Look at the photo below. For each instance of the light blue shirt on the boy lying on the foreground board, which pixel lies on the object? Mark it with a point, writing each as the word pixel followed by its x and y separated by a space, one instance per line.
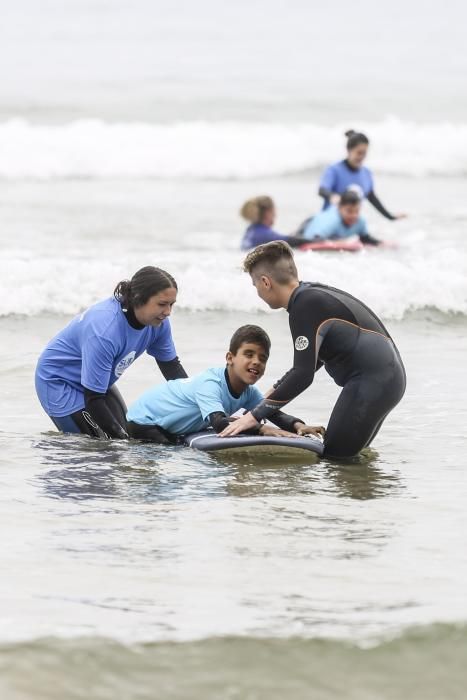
pixel 183 405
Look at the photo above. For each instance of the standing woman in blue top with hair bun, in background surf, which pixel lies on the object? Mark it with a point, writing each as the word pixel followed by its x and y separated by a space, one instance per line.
pixel 352 173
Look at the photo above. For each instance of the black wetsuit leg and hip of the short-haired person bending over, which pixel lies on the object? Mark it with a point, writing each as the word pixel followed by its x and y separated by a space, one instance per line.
pixel 373 390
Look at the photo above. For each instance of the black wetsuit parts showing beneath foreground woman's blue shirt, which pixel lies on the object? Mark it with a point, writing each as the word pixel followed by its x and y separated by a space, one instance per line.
pixel 104 415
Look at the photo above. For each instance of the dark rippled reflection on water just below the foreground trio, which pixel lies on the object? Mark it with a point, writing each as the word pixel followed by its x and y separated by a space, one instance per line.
pixel 83 468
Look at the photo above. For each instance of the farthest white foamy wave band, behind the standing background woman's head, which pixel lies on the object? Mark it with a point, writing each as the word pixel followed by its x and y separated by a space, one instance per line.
pixel 220 150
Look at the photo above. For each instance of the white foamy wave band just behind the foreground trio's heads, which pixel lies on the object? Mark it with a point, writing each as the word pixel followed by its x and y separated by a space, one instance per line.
pixel 393 283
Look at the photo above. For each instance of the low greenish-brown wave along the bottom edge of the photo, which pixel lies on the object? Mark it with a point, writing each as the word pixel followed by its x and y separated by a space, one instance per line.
pixel 424 664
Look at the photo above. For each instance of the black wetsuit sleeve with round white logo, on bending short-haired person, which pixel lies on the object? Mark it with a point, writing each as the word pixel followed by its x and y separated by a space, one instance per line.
pixel 305 320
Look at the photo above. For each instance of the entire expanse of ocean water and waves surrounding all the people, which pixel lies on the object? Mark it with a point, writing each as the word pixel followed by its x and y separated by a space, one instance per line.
pixel 130 134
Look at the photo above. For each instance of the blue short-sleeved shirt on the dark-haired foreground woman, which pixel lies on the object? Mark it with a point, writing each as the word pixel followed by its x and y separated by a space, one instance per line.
pixel 92 352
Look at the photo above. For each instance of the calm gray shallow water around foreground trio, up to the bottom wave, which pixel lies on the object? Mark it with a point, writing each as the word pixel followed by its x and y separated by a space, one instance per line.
pixel 140 542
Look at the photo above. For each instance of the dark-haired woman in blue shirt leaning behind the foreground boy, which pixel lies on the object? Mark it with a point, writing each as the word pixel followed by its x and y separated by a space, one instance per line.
pixel 77 371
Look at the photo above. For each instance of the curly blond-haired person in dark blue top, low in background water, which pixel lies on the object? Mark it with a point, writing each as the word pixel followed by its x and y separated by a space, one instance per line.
pixel 261 213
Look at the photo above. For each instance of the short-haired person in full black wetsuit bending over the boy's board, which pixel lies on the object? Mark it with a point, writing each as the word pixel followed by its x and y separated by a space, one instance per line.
pixel 332 328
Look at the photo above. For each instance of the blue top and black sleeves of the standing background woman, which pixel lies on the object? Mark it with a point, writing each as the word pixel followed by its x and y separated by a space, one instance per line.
pixel 340 176
